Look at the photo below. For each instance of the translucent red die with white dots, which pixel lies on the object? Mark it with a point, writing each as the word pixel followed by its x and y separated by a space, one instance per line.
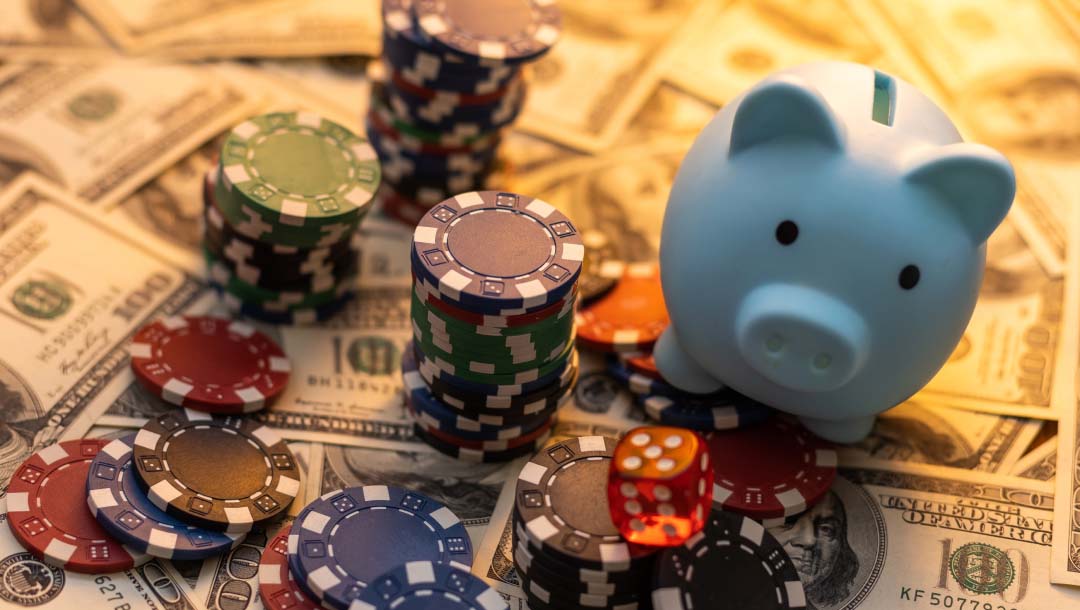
pixel 660 487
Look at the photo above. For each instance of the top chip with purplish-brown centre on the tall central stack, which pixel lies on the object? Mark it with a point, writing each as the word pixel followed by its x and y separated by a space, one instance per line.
pixel 490 252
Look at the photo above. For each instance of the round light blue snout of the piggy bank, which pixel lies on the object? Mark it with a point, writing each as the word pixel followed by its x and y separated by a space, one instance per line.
pixel 802 338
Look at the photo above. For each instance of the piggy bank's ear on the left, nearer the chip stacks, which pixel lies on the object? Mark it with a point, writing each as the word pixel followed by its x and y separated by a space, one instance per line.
pixel 785 107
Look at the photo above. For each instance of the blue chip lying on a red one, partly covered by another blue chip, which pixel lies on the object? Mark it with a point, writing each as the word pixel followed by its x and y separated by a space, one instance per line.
pixel 345 540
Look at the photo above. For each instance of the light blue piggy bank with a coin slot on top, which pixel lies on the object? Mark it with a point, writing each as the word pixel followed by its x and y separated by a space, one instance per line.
pixel 825 245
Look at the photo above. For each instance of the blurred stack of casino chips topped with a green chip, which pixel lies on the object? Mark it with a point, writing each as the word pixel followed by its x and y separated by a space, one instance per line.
pixel 281 213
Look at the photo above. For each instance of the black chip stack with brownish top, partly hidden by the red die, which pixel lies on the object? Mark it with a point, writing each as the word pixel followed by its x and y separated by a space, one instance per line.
pixel 568 551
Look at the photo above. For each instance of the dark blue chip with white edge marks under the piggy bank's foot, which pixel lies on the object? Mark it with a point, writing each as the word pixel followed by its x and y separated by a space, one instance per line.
pixel 725 410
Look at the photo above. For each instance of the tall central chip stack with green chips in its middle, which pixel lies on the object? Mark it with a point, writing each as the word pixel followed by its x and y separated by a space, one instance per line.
pixel 493 357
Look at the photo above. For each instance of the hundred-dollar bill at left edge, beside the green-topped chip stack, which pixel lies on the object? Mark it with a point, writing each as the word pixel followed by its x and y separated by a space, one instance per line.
pixel 73 292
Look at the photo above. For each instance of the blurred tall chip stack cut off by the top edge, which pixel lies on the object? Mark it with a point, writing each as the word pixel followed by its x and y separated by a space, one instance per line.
pixel 453 84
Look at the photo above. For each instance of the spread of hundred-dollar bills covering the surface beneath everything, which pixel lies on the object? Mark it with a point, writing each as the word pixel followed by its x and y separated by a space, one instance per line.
pixel 110 111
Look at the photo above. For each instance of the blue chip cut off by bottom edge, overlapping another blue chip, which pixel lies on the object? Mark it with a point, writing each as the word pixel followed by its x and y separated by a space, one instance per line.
pixel 418 586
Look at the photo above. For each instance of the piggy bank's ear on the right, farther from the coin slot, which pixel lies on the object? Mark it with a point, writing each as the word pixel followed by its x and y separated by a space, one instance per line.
pixel 977 182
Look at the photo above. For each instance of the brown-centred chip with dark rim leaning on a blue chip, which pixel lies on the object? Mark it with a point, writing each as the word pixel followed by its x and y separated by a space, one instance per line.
pixel 224 475
